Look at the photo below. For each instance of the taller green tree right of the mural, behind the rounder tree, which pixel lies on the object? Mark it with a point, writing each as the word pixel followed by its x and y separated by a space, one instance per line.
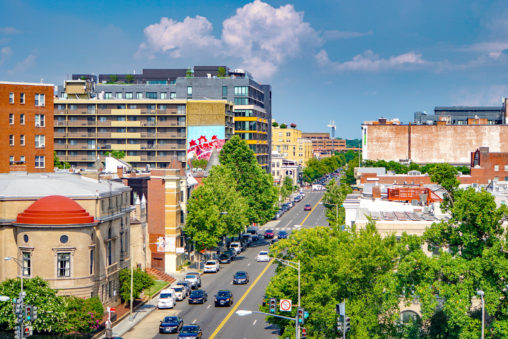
pixel 252 182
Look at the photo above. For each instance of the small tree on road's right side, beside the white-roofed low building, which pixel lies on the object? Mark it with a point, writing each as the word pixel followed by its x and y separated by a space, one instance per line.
pixel 333 199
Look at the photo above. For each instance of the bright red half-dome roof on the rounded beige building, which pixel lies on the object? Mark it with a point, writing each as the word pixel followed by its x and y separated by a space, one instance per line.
pixel 54 210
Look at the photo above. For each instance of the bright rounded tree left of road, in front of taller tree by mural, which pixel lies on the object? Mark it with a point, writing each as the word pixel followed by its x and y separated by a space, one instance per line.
pixel 216 209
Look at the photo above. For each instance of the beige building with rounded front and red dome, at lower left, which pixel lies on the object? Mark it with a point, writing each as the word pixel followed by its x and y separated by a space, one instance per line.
pixel 70 230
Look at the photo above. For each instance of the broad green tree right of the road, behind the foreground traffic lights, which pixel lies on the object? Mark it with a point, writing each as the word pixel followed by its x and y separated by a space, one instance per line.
pixel 357 265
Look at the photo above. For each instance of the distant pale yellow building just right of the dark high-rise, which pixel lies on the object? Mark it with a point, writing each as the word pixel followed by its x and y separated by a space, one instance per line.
pixel 288 142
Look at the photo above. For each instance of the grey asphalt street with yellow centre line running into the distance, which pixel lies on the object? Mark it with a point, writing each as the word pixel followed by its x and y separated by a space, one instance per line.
pixel 223 322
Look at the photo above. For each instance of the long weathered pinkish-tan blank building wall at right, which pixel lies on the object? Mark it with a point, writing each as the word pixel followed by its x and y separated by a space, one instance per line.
pixel 431 143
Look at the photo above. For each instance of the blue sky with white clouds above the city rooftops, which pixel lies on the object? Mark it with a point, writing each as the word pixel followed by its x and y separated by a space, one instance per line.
pixel 347 61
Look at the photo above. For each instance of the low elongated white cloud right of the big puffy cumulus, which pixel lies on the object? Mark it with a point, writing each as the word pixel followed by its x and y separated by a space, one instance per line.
pixel 369 61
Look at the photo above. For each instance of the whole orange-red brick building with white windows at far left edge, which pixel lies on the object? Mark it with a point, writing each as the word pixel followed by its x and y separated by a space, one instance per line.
pixel 26 122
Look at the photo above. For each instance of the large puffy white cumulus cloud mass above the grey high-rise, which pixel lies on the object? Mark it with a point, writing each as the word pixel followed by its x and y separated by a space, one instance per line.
pixel 263 37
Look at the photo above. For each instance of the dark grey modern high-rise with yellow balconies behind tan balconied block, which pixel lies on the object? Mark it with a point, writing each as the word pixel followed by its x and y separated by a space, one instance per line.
pixel 251 100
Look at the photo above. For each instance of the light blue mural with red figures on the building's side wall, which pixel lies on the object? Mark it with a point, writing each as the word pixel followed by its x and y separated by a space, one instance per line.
pixel 202 139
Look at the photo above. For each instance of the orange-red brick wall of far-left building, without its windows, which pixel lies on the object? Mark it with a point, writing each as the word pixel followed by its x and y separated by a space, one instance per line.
pixel 28 129
